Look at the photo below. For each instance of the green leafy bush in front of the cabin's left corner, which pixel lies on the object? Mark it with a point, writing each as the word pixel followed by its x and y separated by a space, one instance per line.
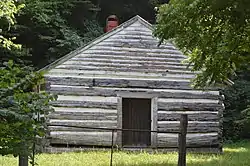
pixel 19 108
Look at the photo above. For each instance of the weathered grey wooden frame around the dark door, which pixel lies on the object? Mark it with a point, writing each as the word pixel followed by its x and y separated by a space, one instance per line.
pixel 154 117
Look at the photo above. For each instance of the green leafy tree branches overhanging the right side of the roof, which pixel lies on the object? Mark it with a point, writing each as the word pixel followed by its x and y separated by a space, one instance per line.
pixel 213 33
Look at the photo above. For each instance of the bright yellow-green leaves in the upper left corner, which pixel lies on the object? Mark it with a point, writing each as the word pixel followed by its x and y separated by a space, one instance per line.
pixel 8 9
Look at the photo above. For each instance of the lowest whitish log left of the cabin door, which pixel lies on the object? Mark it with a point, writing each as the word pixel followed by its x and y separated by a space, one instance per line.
pixel 82 138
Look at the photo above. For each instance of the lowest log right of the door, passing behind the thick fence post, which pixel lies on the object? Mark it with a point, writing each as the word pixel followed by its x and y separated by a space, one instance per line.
pixel 193 140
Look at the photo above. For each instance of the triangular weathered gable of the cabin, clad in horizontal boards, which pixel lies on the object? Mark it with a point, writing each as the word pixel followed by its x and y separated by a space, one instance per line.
pixel 128 52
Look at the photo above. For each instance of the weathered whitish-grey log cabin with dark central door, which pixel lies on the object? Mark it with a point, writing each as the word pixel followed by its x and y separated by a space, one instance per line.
pixel 124 80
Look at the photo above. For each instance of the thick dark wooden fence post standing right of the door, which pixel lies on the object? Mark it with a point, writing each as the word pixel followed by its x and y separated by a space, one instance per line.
pixel 182 140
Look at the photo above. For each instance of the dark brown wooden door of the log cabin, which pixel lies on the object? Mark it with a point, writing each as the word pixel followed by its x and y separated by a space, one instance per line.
pixel 136 114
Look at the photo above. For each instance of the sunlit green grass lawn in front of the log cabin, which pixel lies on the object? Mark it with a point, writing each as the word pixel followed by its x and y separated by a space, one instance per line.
pixel 234 155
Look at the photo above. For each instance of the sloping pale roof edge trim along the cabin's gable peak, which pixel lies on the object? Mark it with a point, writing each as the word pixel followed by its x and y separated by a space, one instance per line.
pixel 98 40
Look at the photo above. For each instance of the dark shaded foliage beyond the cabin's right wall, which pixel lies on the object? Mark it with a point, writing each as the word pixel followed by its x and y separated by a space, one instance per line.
pixel 237 114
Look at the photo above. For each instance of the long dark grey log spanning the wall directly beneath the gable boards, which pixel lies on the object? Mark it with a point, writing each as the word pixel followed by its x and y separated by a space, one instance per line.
pixel 122 82
